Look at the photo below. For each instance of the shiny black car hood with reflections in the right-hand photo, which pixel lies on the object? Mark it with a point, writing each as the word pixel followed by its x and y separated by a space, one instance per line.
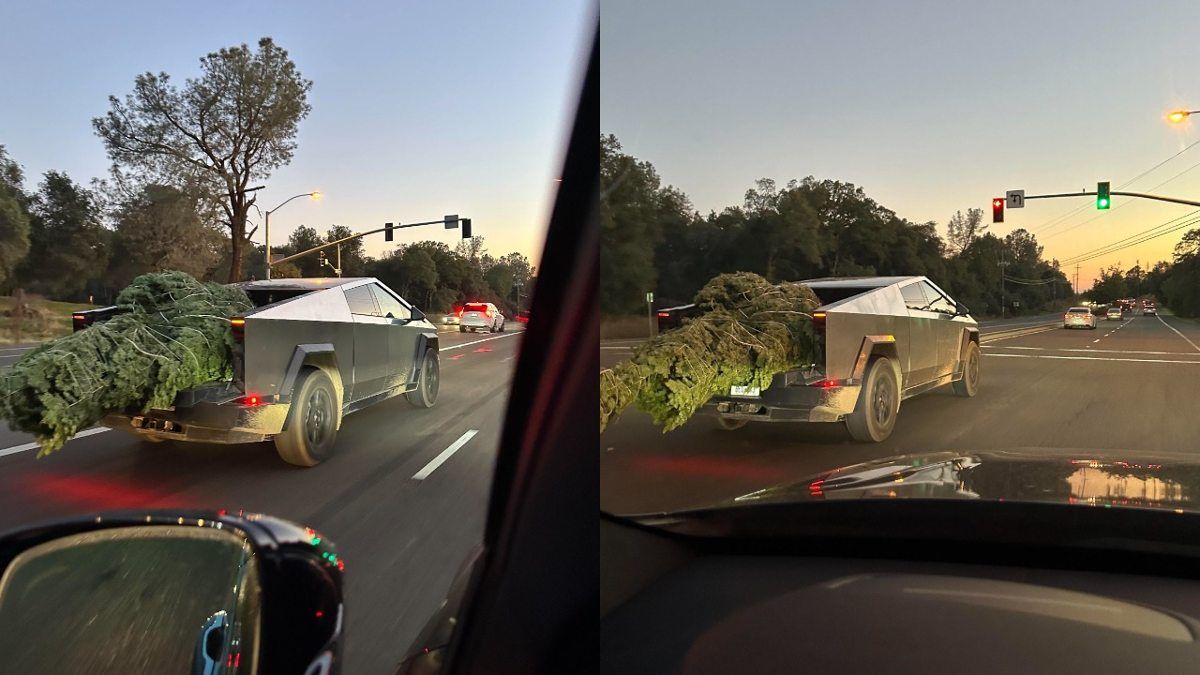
pixel 1103 479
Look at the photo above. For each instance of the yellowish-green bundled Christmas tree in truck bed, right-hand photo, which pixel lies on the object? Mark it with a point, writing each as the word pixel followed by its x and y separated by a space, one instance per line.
pixel 749 332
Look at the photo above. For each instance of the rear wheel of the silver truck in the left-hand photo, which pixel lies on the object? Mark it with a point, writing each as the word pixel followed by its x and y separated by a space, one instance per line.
pixel 309 434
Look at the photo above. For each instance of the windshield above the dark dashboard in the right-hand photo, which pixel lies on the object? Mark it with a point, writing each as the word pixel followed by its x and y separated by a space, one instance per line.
pixel 889 266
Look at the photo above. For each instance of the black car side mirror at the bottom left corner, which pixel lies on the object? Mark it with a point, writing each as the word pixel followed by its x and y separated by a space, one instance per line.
pixel 165 593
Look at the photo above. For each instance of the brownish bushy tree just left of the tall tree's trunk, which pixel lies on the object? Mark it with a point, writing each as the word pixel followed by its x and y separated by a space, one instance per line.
pixel 158 230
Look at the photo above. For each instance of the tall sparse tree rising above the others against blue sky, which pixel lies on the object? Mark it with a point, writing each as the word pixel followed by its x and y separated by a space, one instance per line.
pixel 230 128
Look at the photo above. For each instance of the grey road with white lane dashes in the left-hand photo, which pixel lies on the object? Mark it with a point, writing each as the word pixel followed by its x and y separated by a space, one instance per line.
pixel 403 539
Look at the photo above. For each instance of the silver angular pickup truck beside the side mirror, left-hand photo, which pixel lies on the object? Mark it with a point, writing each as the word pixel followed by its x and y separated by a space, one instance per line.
pixel 311 350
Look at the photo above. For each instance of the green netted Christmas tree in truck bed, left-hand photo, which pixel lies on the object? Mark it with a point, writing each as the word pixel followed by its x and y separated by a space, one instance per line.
pixel 175 336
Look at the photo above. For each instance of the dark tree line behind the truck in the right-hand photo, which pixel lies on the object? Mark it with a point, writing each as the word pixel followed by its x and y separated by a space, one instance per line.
pixel 653 240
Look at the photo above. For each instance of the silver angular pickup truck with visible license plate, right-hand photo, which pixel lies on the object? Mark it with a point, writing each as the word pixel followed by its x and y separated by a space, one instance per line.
pixel 883 341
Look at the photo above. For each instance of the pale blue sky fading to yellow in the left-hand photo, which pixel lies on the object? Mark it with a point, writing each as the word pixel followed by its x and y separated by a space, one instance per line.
pixel 419 110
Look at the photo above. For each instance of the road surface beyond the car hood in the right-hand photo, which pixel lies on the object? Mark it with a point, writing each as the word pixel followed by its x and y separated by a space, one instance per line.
pixel 1127 386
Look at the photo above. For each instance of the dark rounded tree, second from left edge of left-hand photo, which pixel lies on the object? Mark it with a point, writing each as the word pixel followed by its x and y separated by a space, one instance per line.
pixel 69 248
